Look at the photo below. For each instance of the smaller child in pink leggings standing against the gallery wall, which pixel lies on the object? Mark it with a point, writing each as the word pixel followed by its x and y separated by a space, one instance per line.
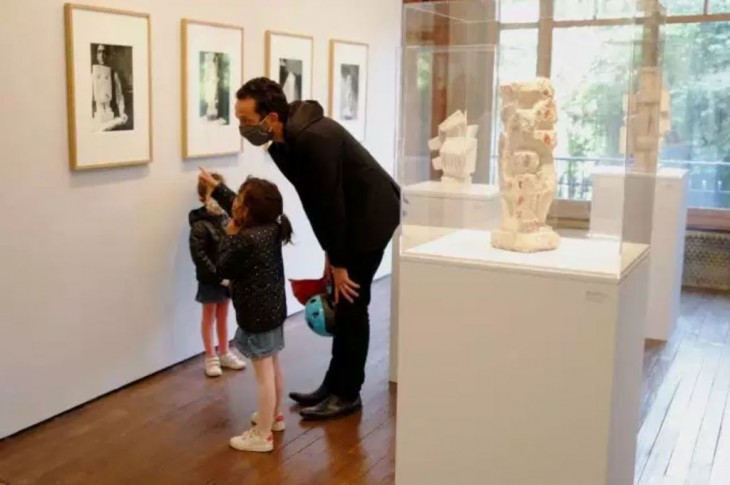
pixel 207 230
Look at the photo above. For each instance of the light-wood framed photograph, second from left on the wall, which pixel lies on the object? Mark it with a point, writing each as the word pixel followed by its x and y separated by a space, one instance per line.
pixel 212 65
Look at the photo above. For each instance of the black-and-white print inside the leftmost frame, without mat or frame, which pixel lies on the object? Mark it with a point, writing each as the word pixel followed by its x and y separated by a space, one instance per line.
pixel 112 88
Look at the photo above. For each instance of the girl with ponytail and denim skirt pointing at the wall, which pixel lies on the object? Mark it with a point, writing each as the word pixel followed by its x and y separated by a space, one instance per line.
pixel 251 258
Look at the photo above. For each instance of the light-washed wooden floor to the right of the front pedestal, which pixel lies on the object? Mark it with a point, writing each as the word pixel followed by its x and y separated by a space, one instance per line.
pixel 685 430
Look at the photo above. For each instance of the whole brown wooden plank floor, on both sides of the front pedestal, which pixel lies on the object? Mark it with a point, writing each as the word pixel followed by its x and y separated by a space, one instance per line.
pixel 173 428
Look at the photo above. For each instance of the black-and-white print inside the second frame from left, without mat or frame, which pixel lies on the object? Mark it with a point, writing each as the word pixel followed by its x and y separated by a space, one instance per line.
pixel 215 87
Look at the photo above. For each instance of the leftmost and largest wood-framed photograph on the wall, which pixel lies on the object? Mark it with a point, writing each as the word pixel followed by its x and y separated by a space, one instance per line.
pixel 108 80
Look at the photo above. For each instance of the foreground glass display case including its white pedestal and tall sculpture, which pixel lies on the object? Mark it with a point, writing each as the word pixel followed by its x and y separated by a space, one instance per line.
pixel 523 274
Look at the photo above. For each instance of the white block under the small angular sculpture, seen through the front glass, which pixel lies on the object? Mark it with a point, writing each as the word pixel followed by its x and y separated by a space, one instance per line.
pixel 444 204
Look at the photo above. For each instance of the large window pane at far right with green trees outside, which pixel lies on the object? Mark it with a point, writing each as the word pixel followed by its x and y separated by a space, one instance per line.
pixel 697 72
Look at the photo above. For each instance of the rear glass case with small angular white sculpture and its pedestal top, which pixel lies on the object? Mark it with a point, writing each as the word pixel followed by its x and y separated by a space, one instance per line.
pixel 446 144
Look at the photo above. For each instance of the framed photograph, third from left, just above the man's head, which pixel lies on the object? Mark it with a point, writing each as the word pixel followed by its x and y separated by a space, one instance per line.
pixel 289 61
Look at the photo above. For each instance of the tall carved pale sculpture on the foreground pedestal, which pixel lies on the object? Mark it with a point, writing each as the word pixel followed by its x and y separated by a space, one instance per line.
pixel 526 167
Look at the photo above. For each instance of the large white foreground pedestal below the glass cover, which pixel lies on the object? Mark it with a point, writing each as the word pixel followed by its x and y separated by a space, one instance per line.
pixel 518 374
